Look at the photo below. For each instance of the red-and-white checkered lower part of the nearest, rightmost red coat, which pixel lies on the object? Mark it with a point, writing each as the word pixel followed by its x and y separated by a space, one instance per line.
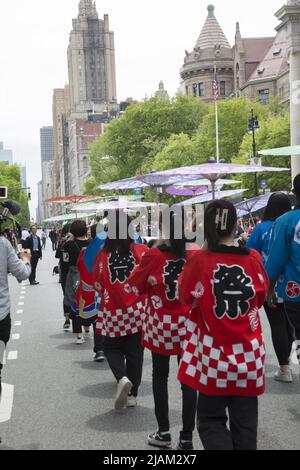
pixel 238 369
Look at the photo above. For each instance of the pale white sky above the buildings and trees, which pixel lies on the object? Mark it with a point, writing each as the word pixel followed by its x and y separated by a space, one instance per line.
pixel 150 39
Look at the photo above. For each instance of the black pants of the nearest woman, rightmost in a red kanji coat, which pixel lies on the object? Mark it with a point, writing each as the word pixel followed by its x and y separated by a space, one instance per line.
pixel 212 422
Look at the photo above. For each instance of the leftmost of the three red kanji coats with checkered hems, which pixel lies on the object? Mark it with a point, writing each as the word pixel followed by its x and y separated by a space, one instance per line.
pixel 120 312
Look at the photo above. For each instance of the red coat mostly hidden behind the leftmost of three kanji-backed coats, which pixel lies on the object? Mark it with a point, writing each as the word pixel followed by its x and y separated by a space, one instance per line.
pixel 84 305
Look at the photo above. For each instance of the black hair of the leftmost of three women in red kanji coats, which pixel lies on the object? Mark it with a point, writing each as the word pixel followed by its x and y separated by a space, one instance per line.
pixel 117 242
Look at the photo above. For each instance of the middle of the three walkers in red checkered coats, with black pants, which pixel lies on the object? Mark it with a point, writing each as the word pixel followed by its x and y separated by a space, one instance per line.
pixel 164 326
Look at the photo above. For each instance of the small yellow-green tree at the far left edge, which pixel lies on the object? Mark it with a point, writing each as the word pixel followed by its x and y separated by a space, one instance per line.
pixel 10 176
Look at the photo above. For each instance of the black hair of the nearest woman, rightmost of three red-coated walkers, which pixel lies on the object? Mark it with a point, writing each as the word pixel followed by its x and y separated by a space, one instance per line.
pixel 220 219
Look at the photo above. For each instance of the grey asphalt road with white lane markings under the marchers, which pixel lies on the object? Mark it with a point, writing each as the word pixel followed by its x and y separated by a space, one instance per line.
pixel 56 397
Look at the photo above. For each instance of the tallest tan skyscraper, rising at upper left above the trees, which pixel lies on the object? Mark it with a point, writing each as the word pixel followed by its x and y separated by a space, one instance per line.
pixel 91 62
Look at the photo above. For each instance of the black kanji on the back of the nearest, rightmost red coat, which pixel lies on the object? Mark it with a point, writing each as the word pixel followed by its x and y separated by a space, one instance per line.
pixel 233 290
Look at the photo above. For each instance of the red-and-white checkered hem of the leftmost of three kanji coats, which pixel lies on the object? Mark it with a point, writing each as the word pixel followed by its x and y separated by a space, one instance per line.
pixel 124 322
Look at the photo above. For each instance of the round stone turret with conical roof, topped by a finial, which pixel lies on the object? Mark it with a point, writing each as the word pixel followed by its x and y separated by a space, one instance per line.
pixel 212 49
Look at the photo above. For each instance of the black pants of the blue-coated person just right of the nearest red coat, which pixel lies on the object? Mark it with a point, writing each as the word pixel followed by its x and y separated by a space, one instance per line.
pixel 282 333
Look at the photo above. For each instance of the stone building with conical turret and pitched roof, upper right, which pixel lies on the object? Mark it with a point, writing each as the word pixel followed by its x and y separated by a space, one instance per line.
pixel 254 67
